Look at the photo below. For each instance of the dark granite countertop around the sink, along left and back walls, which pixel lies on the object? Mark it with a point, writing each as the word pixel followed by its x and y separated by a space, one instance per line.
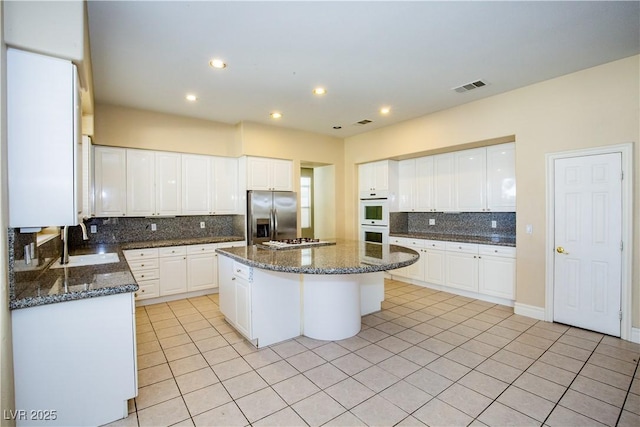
pixel 43 285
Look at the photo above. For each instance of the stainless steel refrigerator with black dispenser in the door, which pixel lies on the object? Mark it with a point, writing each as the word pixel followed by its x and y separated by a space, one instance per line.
pixel 272 215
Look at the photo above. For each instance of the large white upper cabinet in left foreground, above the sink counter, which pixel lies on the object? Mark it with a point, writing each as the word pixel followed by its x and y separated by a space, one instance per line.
pixel 43 133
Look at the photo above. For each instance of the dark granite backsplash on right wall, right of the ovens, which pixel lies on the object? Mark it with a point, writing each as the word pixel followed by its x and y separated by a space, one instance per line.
pixel 459 223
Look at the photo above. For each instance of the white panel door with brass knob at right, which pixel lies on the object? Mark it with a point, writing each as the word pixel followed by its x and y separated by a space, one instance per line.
pixel 588 236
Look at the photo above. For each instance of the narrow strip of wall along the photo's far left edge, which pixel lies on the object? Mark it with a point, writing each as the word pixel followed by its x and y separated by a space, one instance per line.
pixel 6 349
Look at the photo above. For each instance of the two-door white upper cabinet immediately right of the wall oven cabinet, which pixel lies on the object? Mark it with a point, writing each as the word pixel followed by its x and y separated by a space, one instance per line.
pixel 415 185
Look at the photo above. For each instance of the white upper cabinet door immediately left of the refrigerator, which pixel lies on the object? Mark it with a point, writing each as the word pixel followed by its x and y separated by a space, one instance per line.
pixel 225 185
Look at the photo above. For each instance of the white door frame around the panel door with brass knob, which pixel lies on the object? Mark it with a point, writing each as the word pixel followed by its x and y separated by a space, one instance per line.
pixel 626 303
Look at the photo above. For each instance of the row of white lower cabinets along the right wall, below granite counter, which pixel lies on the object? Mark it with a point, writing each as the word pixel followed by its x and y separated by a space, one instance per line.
pixel 472 269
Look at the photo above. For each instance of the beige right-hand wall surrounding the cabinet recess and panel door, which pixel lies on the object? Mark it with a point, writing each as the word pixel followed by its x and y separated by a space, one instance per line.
pixel 592 108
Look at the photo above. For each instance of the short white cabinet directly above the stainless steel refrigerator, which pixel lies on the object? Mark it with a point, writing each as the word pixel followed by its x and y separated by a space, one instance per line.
pixel 269 174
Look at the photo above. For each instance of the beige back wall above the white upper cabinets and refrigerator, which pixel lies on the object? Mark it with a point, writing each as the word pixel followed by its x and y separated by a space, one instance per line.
pixel 128 127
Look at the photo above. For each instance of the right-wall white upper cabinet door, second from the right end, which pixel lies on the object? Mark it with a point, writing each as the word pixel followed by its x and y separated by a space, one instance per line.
pixel 470 182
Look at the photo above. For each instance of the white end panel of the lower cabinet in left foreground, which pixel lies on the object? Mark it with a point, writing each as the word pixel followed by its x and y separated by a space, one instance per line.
pixel 75 361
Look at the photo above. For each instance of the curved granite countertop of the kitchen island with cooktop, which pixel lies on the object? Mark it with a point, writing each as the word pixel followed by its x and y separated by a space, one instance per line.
pixel 345 257
